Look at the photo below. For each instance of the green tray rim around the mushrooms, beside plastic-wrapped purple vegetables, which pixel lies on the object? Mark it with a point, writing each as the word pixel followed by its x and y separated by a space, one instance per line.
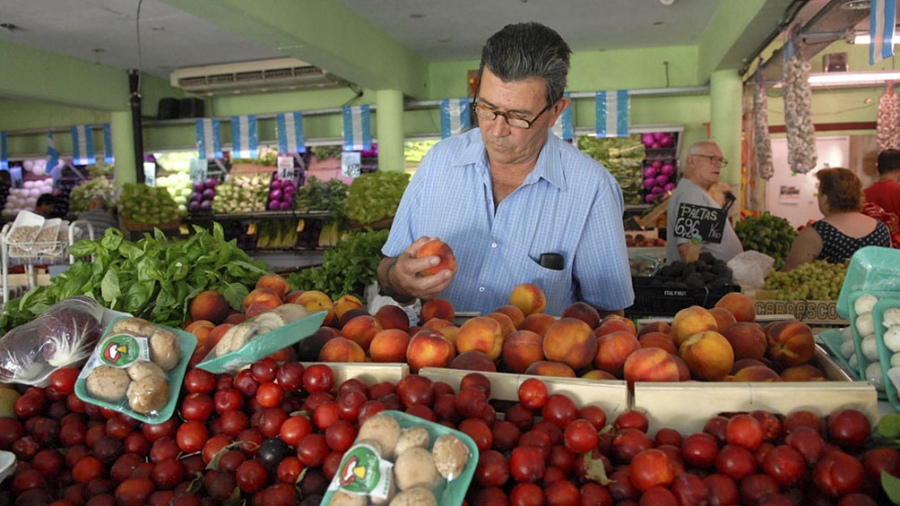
pixel 186 341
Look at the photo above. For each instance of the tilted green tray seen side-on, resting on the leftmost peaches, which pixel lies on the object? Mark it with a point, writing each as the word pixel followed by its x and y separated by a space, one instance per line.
pixel 265 345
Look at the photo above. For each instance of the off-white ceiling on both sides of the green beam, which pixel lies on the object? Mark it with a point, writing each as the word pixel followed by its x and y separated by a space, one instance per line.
pixel 106 31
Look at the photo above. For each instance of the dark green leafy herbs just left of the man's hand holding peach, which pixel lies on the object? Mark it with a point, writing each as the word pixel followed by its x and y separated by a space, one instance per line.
pixel 348 268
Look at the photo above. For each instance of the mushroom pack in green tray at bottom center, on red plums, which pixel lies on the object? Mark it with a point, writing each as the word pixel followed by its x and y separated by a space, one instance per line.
pixel 400 459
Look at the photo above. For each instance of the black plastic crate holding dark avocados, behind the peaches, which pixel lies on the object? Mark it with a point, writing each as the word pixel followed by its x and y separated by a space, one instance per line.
pixel 663 301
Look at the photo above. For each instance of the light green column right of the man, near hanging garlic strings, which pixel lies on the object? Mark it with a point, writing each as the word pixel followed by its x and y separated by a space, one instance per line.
pixel 725 108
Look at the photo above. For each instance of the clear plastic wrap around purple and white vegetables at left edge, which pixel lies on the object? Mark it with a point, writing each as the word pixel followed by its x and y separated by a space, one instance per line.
pixel 65 334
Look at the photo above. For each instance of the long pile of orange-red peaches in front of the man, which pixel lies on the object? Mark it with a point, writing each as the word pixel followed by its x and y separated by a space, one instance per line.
pixel 722 343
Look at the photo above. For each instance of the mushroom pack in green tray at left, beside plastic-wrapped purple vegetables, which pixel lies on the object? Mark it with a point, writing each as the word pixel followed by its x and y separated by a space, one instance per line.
pixel 137 369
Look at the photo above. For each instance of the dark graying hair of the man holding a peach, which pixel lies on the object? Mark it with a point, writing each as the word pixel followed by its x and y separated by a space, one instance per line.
pixel 524 50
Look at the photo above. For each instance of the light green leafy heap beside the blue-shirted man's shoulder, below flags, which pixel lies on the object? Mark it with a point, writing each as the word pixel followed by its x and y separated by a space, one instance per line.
pixel 375 196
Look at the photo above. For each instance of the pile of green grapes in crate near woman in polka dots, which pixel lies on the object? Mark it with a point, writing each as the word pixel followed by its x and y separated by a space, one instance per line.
pixel 816 280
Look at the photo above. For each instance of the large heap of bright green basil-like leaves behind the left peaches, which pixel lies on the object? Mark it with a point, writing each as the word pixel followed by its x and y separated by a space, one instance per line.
pixel 154 278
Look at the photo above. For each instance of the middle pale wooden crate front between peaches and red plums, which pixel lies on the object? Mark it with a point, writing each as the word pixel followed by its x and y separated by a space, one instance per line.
pixel 610 395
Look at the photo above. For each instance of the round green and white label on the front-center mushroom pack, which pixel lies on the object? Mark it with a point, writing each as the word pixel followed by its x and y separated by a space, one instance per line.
pixel 364 472
